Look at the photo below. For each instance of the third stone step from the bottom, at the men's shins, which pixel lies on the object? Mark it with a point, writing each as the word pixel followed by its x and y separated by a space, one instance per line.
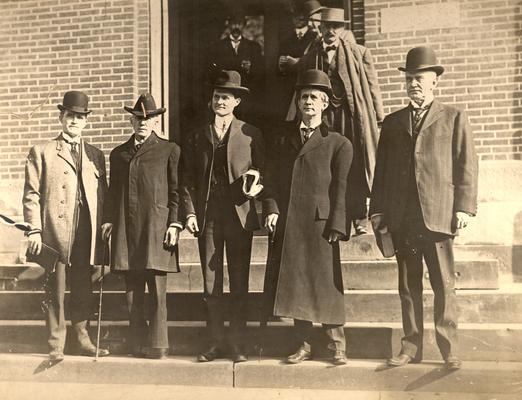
pixel 478 306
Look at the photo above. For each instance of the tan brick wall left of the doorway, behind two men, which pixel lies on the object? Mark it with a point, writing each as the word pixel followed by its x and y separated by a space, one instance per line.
pixel 48 47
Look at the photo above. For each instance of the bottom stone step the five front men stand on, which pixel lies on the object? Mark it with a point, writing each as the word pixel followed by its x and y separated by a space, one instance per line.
pixel 474 379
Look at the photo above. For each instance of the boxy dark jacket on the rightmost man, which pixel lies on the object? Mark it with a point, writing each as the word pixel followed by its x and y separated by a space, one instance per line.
pixel 444 163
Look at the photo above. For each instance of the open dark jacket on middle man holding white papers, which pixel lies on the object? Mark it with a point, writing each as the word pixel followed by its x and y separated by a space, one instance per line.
pixel 245 150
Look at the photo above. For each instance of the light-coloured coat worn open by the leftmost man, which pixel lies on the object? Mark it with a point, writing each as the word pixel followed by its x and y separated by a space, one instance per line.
pixel 50 191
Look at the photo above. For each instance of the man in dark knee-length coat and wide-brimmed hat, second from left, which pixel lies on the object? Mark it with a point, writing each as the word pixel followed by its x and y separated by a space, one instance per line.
pixel 141 218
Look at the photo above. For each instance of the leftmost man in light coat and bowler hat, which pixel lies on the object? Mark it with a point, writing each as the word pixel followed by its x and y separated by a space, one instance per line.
pixel 64 190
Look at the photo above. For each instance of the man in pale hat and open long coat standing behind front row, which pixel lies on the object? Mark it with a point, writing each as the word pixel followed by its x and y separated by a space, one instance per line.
pixel 355 106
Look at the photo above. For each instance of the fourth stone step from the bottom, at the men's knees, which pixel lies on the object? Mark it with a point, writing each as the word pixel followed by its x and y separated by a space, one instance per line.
pixel 357 275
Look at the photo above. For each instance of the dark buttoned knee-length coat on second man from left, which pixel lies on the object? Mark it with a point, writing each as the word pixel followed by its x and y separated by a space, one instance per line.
pixel 142 203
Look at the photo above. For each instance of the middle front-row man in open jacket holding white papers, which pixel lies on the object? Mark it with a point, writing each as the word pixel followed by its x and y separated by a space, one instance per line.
pixel 218 210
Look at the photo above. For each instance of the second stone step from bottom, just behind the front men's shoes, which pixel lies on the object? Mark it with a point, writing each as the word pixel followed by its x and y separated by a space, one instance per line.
pixel 488 342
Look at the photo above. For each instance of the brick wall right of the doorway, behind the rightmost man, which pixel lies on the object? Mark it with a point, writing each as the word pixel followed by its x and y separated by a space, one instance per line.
pixel 483 61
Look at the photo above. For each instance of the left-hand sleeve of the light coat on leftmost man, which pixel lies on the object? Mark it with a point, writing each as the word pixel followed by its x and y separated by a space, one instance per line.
pixel 31 199
